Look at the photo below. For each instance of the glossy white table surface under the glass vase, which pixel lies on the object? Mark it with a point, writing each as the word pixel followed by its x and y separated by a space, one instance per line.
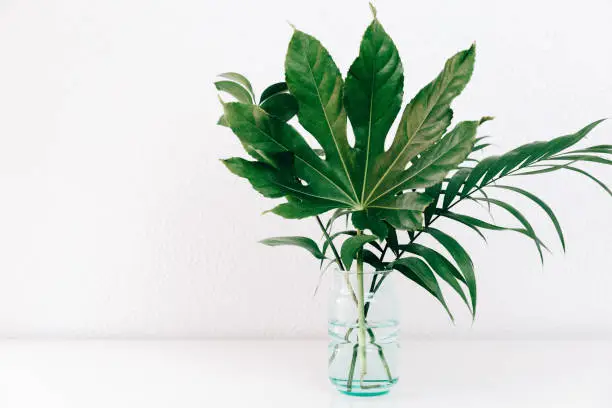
pixel 292 374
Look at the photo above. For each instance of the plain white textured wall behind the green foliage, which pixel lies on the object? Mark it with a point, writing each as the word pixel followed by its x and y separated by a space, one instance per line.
pixel 117 219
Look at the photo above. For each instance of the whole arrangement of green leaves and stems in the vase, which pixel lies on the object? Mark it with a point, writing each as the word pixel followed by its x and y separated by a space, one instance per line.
pixel 423 175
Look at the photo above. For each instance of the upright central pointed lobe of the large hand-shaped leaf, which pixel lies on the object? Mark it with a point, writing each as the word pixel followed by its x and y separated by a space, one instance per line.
pixel 373 98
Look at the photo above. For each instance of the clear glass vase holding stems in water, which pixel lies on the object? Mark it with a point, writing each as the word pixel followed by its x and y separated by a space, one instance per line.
pixel 372 369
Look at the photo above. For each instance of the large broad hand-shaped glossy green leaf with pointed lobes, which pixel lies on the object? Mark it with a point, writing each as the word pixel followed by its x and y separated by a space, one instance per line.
pixel 364 178
